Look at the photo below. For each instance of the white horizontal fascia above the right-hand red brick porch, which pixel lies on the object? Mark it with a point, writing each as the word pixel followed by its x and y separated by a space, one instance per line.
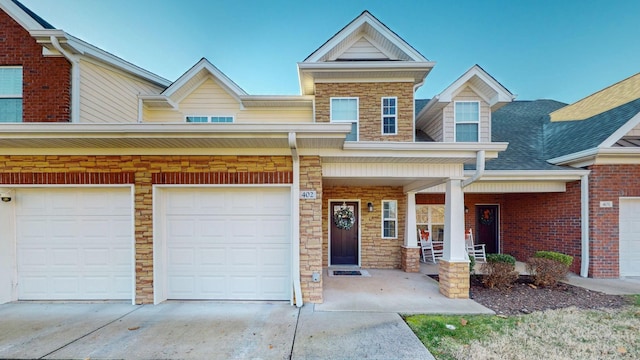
pixel 530 175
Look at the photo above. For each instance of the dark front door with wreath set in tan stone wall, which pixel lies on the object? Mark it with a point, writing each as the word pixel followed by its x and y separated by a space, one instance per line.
pixel 344 239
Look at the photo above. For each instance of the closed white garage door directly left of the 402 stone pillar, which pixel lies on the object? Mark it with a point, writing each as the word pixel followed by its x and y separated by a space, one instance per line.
pixel 228 243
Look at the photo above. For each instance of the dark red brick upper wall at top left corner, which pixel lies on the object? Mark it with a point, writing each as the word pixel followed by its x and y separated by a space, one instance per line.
pixel 46 89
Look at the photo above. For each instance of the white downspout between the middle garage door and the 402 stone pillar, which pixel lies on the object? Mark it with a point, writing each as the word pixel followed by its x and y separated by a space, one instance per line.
pixel 295 226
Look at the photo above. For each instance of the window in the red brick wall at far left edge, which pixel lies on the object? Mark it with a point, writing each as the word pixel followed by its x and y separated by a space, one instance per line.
pixel 10 94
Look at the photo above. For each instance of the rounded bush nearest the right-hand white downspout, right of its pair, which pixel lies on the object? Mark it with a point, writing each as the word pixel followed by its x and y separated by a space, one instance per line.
pixel 548 267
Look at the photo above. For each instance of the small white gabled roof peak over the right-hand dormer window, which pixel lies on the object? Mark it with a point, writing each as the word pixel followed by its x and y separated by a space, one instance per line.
pixel 483 84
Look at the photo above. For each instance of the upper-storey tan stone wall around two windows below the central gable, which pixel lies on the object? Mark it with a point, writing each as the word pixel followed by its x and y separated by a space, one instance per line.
pixel 370 97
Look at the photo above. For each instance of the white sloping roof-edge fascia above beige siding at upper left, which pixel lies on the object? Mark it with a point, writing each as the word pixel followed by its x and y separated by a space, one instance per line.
pixel 80 47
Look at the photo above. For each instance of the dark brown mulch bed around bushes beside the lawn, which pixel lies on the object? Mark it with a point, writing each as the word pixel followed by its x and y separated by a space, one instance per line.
pixel 524 297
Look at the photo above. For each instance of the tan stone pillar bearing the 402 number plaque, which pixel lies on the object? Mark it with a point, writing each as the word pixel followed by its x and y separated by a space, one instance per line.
pixel 311 229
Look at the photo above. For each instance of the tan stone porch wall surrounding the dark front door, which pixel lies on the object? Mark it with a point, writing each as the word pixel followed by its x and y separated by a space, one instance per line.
pixel 376 252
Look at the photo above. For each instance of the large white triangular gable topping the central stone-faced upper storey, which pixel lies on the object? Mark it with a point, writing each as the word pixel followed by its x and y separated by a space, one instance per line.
pixel 364 49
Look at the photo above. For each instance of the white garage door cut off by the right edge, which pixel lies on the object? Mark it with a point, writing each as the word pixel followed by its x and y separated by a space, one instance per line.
pixel 629 237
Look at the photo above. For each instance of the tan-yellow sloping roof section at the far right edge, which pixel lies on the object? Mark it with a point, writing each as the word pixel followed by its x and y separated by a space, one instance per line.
pixel 606 99
